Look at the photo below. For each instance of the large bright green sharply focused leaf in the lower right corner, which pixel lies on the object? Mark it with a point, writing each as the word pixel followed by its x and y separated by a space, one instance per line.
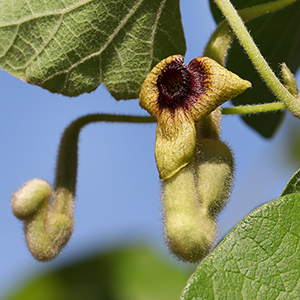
pixel 259 259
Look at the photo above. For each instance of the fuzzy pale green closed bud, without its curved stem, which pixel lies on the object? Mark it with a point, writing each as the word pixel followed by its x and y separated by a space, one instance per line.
pixel 48 226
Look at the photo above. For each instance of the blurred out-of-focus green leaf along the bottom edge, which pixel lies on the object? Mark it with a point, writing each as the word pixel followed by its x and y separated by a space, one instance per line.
pixel 132 273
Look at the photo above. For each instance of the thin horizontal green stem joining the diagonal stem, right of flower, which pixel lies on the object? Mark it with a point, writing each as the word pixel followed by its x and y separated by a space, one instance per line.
pixel 250 109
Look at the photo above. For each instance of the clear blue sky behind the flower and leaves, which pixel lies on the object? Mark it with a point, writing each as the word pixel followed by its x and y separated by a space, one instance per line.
pixel 118 185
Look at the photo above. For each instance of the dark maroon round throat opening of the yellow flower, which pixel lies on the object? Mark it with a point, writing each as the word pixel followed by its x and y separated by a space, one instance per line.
pixel 173 85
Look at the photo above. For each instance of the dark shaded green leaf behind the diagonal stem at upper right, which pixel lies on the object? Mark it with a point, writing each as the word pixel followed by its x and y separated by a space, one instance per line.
pixel 278 37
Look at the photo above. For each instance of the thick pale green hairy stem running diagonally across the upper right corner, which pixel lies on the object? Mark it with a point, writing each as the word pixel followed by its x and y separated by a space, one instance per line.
pixel 257 59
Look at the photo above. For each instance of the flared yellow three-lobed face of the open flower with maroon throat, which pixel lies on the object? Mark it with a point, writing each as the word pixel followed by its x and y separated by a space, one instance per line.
pixel 178 96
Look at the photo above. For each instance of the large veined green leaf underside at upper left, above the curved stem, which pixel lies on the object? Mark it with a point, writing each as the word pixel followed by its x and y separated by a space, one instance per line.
pixel 70 46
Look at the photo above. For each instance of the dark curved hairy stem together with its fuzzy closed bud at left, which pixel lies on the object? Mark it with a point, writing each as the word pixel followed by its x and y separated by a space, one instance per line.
pixel 49 224
